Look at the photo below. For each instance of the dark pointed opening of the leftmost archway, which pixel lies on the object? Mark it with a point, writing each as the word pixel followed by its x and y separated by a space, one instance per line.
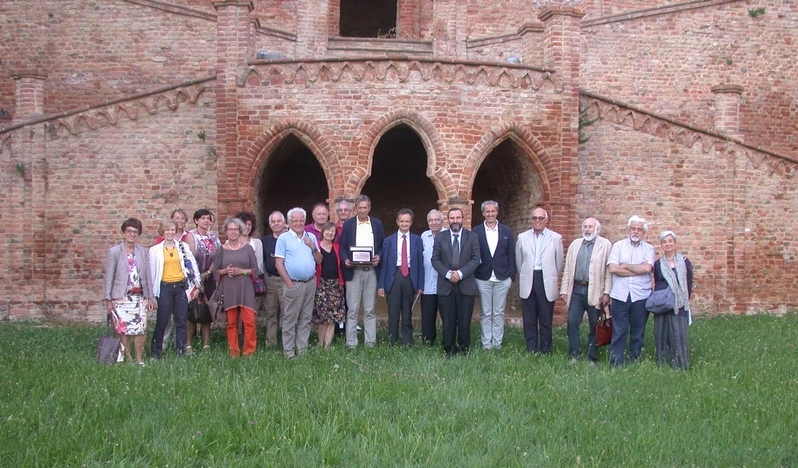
pixel 292 177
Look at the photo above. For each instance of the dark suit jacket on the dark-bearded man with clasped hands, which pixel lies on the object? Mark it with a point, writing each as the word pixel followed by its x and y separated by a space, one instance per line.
pixel 469 261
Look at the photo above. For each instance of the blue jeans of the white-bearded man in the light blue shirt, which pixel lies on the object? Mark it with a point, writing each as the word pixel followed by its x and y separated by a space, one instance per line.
pixel 628 318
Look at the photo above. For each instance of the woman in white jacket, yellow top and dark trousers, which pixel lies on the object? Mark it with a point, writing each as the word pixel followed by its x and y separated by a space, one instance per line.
pixel 175 281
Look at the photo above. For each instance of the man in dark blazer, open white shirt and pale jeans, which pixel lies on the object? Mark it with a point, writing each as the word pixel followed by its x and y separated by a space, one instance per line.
pixel 495 274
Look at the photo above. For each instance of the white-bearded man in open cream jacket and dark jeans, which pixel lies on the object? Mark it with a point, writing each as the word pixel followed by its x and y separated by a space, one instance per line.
pixel 586 285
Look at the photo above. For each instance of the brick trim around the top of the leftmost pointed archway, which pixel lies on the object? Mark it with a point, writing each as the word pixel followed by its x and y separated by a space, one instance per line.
pixel 268 141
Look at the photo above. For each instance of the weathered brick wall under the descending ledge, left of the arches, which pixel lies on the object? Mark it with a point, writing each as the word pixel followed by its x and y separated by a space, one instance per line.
pixel 93 179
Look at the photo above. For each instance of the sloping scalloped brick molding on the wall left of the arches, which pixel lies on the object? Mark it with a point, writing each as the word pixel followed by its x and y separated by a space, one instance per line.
pixel 93 117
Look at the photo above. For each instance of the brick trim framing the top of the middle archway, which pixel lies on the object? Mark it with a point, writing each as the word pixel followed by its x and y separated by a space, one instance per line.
pixel 430 137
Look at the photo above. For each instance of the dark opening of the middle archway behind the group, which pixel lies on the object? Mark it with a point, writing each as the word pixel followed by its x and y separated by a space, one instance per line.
pixel 398 180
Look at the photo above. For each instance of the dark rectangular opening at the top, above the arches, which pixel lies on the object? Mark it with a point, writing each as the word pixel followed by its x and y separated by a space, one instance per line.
pixel 368 18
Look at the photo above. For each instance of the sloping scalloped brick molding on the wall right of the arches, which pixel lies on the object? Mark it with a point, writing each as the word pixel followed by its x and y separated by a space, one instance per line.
pixel 684 134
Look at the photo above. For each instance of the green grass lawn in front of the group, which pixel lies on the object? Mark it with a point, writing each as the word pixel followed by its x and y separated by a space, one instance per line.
pixel 402 407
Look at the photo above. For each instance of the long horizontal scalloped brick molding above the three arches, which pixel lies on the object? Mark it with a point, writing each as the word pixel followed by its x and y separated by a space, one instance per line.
pixel 398 69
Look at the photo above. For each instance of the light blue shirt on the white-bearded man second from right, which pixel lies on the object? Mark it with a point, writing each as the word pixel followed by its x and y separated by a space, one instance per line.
pixel 638 286
